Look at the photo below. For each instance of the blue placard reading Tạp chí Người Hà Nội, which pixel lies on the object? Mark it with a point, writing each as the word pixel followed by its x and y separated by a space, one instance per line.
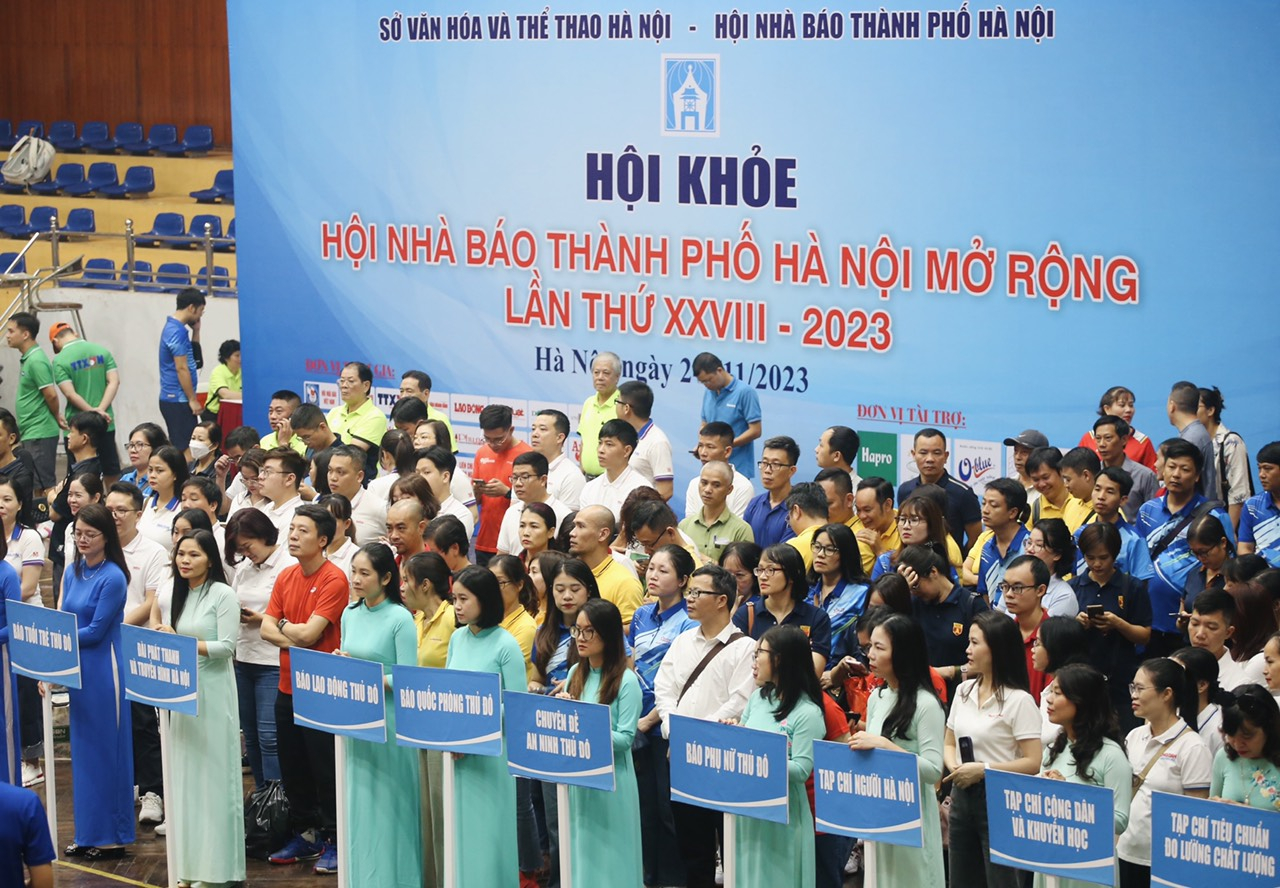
pixel 872 795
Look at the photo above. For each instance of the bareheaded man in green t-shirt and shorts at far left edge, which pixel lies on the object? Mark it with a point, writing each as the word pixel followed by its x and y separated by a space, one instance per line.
pixel 39 420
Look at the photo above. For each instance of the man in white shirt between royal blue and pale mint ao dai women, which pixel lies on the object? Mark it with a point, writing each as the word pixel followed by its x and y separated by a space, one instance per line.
pixel 149 567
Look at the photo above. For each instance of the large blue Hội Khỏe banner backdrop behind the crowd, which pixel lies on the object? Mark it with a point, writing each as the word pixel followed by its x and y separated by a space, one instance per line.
pixel 886 219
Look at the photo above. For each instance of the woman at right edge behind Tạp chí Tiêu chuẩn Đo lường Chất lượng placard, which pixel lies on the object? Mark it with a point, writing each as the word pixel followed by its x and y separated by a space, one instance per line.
pixel 1247 771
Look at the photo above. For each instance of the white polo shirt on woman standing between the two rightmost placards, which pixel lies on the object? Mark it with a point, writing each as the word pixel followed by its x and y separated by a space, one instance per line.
pixel 1187 765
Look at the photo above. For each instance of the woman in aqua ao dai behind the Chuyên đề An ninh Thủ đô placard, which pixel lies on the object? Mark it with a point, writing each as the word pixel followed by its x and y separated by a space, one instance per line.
pixel 606 826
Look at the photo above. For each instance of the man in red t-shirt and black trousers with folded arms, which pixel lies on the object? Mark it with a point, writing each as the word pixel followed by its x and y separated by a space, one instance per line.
pixel 307 612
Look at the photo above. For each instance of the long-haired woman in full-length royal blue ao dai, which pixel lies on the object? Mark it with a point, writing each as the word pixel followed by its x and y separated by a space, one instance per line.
pixel 94 589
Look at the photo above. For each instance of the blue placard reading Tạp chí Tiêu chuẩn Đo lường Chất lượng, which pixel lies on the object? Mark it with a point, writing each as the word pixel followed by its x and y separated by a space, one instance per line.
pixel 1197 843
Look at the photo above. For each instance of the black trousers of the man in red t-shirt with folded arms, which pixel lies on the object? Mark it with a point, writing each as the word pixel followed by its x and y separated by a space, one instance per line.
pixel 308 771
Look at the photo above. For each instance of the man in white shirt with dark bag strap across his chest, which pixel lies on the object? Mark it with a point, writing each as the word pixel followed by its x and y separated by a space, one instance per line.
pixel 707 675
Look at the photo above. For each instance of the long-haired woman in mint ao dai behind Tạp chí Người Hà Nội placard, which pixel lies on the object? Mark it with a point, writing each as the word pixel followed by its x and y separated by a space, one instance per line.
pixel 906 716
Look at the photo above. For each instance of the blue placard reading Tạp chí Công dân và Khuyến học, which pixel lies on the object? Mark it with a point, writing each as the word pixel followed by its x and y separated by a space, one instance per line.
pixel 1053 827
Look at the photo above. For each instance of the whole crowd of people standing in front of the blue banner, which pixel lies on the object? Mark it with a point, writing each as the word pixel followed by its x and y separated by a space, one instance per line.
pixel 1105 616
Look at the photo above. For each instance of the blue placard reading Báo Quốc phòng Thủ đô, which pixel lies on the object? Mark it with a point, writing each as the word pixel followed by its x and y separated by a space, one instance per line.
pixel 451 711
